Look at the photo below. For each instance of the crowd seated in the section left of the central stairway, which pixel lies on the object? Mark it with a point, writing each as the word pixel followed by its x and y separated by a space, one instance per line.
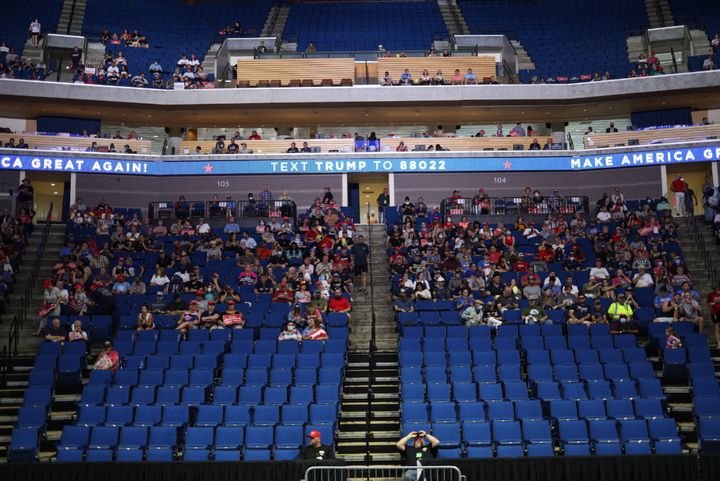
pixel 314 267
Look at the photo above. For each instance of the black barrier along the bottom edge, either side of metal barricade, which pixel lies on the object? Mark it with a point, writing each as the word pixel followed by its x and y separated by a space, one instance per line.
pixel 559 468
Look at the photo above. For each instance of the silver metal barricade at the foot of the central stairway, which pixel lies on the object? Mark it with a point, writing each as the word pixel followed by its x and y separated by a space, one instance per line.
pixel 386 473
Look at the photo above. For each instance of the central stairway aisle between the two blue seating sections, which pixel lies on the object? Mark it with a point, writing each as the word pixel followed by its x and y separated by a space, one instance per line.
pixel 370 407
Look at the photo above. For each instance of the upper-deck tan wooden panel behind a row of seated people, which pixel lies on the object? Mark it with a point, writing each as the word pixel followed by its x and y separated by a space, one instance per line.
pixel 483 67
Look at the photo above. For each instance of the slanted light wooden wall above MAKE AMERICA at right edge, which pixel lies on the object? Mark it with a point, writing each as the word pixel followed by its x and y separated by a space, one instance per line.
pixel 643 137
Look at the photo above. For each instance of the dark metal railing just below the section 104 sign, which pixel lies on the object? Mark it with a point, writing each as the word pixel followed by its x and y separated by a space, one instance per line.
pixel 513 206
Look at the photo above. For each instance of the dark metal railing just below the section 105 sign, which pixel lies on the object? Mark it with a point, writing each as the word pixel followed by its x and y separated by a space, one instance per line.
pixel 240 209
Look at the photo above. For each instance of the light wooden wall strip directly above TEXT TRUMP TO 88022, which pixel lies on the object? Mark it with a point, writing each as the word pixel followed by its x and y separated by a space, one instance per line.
pixel 457 144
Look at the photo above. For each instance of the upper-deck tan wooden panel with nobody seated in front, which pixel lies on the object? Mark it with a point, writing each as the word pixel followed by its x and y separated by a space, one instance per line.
pixel 305 72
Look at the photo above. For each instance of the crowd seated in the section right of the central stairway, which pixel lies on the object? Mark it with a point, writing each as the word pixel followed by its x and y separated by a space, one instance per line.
pixel 619 250
